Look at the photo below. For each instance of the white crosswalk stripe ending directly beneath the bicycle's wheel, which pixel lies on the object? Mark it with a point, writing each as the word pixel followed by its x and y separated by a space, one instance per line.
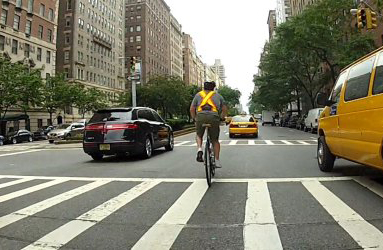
pixel 166 230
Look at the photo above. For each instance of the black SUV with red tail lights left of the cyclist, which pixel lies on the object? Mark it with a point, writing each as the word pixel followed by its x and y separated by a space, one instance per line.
pixel 117 131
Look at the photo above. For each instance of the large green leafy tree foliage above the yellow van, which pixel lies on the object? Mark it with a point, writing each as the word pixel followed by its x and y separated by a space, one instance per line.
pixel 308 53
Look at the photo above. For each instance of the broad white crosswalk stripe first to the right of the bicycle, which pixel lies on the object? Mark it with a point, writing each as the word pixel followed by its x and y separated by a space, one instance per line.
pixel 260 230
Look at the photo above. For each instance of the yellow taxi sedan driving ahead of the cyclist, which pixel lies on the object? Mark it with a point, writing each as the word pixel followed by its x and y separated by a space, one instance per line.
pixel 243 125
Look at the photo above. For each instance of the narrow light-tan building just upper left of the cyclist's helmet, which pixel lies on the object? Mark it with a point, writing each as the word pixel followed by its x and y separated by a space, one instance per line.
pixel 190 63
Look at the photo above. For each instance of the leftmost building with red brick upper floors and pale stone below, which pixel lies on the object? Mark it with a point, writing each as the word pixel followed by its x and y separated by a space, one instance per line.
pixel 28 31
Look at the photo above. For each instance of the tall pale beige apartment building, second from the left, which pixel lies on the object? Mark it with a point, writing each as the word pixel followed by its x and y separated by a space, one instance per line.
pixel 91 45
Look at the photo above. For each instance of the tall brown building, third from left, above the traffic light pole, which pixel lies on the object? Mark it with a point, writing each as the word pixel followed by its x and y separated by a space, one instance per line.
pixel 147 36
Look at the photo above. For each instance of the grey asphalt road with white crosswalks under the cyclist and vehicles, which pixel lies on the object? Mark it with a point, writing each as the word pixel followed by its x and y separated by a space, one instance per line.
pixel 270 194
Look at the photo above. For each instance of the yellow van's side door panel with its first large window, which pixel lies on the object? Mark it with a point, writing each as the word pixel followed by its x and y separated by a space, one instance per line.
pixel 352 111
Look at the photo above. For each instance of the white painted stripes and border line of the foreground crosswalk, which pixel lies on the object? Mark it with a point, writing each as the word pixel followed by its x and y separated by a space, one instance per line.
pixel 260 228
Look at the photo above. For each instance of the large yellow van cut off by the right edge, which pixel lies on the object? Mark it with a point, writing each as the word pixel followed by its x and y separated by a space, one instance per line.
pixel 351 125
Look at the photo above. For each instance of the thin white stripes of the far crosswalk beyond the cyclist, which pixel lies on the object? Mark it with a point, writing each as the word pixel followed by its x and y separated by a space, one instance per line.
pixel 254 143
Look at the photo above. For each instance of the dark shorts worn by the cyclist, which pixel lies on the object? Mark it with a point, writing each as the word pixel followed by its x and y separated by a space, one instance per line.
pixel 215 122
